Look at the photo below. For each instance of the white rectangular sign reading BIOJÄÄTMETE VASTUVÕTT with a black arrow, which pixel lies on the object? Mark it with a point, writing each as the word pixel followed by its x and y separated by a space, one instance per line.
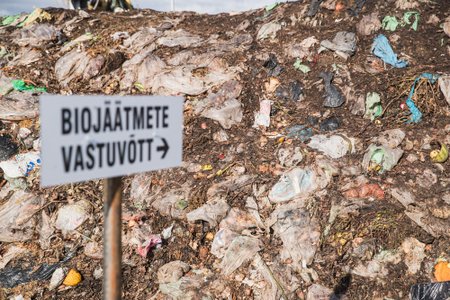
pixel 89 137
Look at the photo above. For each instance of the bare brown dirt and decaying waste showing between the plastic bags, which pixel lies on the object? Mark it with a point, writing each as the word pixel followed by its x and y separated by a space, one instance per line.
pixel 379 224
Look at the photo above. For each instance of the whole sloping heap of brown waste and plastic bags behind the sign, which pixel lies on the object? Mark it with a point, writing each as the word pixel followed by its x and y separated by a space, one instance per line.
pixel 315 152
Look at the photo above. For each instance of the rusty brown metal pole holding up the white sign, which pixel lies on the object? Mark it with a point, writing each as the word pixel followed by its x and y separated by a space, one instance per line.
pixel 112 248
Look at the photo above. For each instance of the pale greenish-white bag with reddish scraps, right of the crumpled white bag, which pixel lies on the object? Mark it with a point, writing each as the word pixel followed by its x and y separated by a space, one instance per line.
pixel 381 158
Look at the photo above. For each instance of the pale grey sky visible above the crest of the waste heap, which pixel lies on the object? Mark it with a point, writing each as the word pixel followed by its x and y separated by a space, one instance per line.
pixel 8 7
